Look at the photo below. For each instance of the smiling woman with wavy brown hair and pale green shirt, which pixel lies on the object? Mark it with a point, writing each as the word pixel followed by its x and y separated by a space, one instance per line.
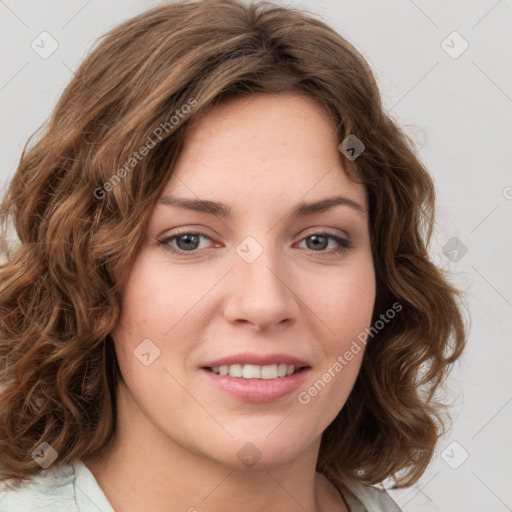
pixel 222 296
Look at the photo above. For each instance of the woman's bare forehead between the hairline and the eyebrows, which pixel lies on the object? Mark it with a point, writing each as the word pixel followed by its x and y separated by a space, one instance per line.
pixel 266 148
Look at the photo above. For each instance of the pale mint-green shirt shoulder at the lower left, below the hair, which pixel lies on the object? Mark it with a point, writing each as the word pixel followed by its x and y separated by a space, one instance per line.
pixel 65 488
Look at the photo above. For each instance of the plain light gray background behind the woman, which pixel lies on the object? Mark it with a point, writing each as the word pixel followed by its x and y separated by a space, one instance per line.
pixel 457 107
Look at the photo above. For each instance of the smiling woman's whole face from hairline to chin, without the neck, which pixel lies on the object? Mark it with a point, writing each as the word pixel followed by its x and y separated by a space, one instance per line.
pixel 249 291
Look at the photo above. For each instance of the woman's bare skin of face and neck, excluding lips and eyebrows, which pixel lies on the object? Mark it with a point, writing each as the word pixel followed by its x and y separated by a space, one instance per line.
pixel 178 436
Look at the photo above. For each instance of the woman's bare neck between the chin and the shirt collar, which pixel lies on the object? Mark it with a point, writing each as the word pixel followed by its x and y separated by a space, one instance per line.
pixel 147 470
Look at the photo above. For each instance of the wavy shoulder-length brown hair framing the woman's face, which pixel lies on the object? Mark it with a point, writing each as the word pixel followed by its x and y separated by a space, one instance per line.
pixel 79 225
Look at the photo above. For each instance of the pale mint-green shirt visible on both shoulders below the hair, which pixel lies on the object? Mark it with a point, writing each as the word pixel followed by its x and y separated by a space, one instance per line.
pixel 73 488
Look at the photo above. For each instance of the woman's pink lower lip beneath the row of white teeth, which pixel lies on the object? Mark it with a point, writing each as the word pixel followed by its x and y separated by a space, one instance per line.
pixel 258 390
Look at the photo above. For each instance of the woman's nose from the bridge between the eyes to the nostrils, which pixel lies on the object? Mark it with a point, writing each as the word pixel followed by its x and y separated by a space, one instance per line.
pixel 259 292
